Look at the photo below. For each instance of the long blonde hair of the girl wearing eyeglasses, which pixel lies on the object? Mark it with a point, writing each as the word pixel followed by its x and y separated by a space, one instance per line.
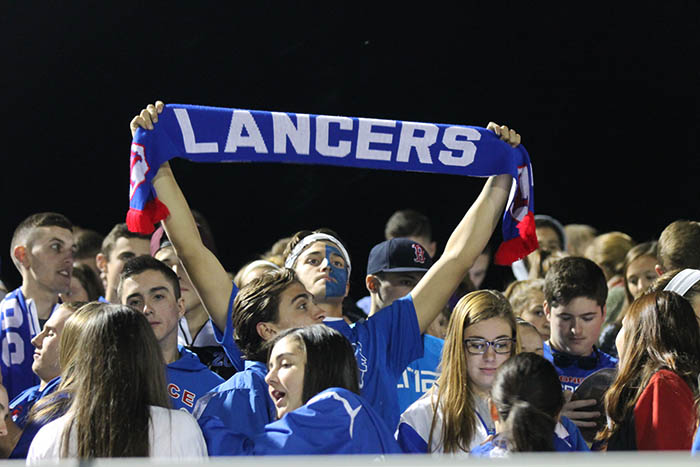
pixel 454 395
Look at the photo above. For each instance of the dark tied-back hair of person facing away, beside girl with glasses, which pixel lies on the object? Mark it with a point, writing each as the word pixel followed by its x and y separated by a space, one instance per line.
pixel 528 397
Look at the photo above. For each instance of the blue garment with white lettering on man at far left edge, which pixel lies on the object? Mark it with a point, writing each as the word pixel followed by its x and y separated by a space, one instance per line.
pixel 19 323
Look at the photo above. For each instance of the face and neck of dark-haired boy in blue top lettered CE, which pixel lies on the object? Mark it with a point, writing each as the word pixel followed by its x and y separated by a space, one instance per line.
pixel 151 293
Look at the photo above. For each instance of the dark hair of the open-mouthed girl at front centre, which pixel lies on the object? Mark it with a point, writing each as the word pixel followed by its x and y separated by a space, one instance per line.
pixel 330 359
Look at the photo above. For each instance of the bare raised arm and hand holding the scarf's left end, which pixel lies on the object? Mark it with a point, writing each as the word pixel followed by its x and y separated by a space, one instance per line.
pixel 207 274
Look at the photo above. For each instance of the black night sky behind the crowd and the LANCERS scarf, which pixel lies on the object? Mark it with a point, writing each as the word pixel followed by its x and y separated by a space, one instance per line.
pixel 605 95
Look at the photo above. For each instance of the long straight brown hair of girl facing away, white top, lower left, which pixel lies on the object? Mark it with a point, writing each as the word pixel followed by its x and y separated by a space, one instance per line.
pixel 118 375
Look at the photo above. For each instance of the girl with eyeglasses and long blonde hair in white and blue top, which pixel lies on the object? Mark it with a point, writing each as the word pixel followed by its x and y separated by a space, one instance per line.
pixel 453 417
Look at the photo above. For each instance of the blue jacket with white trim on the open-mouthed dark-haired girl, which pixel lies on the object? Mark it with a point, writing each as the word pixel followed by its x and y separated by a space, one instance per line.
pixel 334 421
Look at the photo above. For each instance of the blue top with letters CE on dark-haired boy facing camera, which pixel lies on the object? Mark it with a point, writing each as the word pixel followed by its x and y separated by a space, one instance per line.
pixel 188 379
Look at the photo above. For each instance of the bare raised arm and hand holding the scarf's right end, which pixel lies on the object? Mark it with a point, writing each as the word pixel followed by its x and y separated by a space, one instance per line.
pixel 466 242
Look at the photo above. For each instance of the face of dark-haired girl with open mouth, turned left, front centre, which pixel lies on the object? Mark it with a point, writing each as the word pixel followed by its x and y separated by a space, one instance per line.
pixel 285 377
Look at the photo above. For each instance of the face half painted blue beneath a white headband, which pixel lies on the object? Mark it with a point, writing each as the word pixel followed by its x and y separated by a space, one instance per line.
pixel 322 270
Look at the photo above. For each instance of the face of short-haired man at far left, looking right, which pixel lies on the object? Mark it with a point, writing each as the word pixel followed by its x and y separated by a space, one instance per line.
pixel 49 258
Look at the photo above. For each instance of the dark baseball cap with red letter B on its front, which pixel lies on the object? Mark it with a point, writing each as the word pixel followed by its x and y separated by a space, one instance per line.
pixel 398 255
